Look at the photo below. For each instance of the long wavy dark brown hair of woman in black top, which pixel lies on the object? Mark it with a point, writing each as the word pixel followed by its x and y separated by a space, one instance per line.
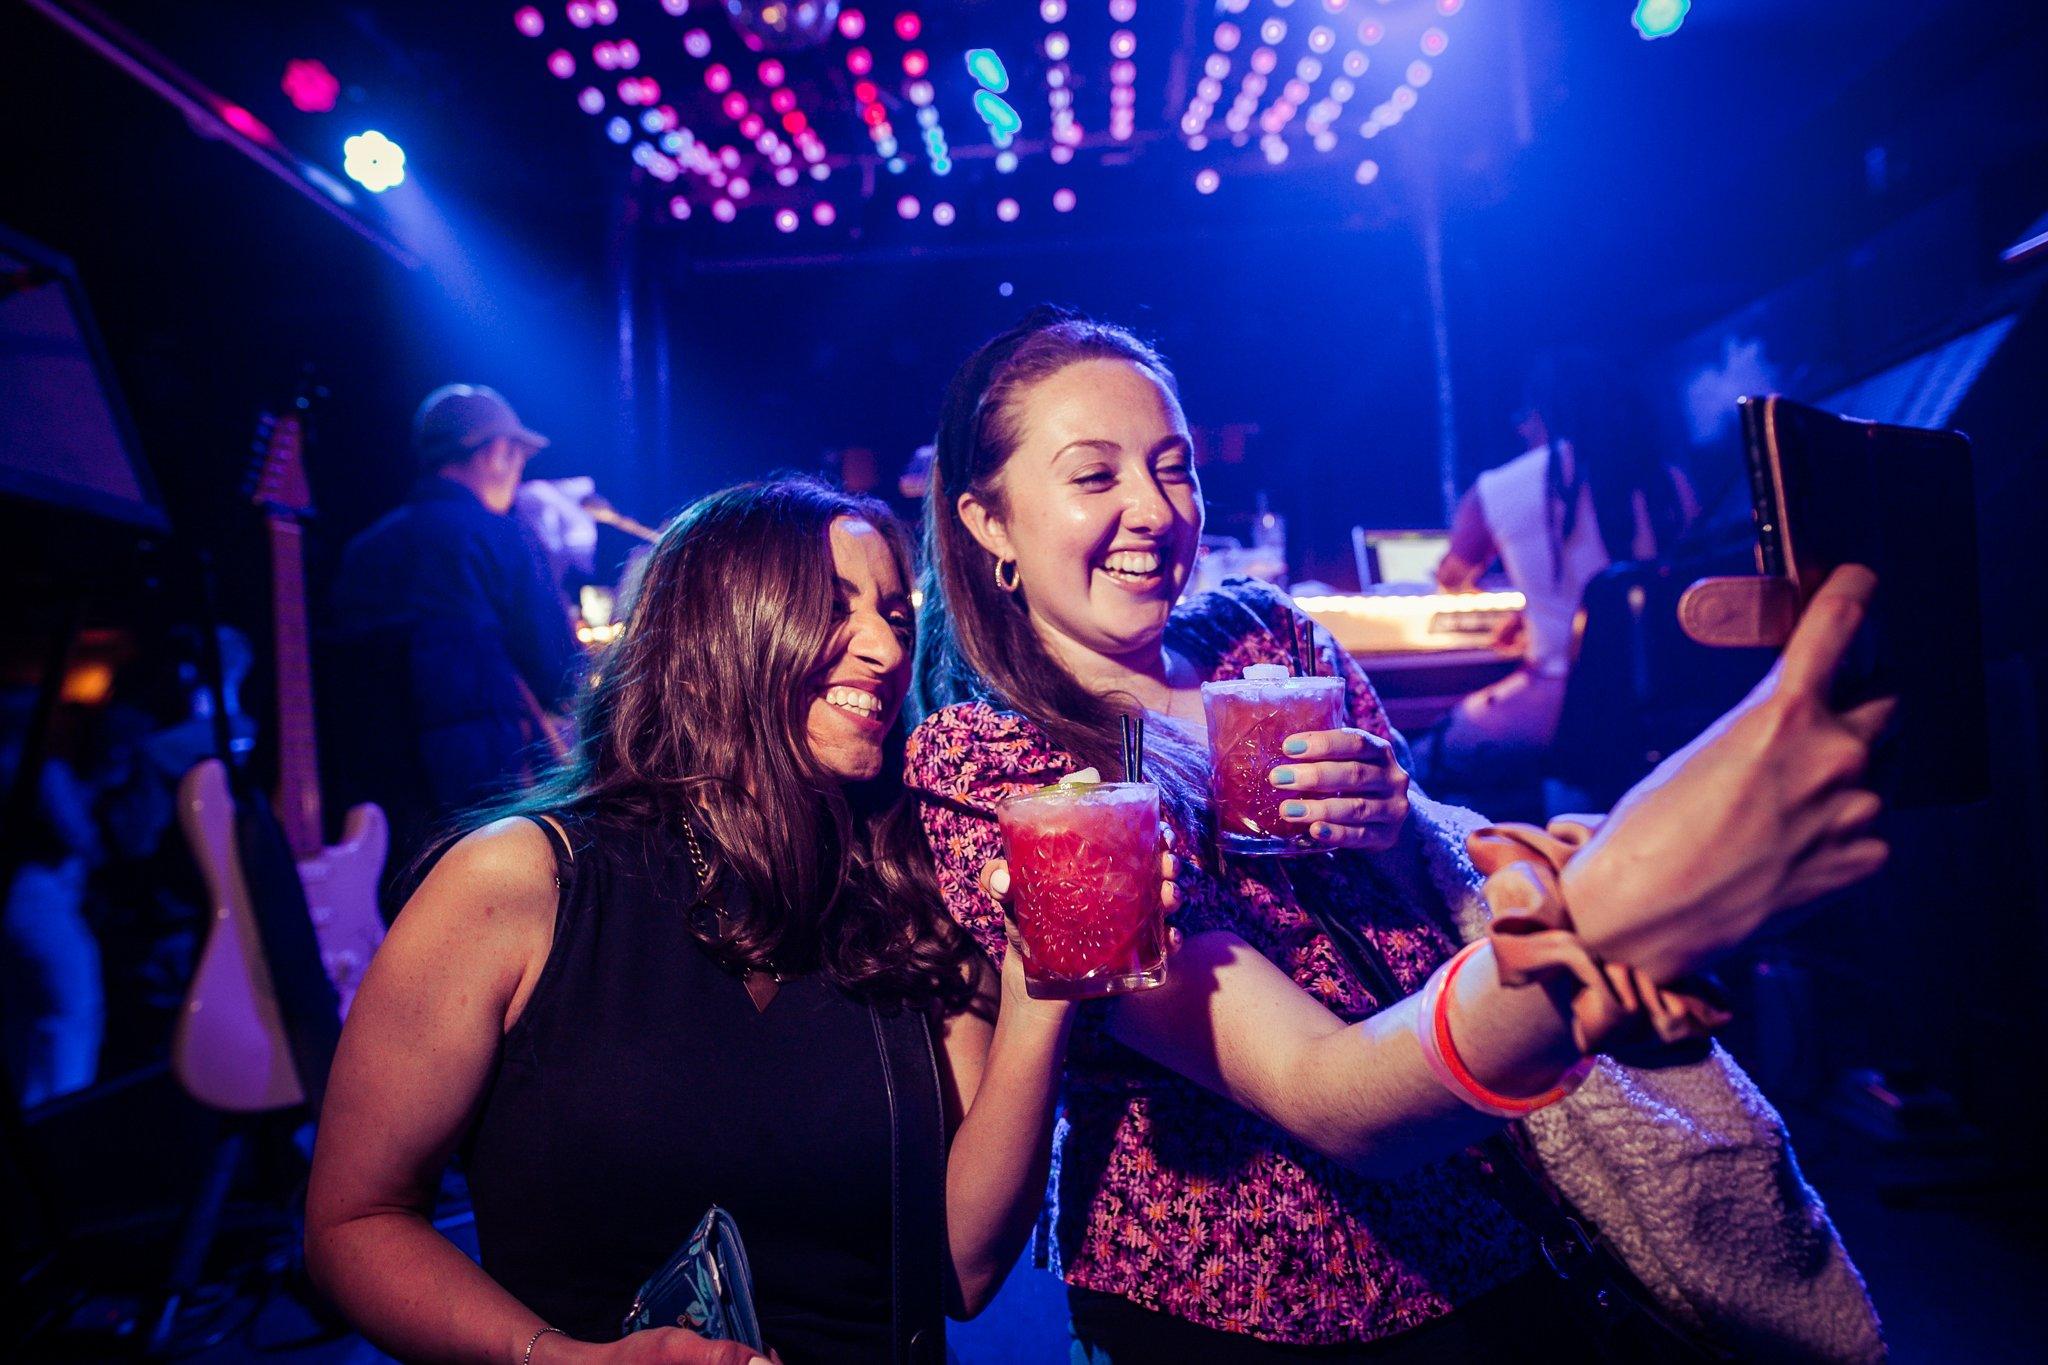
pixel 699 713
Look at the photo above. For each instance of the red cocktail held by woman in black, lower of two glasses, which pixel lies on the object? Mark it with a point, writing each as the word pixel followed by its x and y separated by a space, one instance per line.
pixel 1084 873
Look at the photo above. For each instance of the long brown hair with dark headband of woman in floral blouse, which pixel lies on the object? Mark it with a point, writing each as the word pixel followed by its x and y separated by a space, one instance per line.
pixel 974 640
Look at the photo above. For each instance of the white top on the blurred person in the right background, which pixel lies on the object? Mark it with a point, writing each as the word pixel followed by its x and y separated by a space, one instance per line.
pixel 1517 500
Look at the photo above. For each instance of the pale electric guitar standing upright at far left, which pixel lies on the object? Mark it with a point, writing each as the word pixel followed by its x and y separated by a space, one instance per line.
pixel 230 1049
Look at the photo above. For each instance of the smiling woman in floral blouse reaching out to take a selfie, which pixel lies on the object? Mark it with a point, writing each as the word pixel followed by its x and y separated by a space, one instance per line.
pixel 1275 1155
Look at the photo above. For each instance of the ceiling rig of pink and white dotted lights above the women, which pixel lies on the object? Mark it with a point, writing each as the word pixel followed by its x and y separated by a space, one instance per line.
pixel 800 114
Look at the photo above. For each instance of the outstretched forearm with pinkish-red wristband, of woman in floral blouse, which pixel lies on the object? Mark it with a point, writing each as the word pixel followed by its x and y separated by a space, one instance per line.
pixel 1359 1094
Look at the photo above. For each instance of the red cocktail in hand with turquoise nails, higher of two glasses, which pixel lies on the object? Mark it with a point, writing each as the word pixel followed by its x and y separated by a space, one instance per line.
pixel 1248 721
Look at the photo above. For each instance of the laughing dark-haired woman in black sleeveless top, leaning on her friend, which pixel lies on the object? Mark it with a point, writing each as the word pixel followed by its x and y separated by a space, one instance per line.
pixel 706 965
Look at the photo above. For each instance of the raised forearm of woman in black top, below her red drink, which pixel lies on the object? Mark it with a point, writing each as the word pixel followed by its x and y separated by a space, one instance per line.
pixel 1000 1155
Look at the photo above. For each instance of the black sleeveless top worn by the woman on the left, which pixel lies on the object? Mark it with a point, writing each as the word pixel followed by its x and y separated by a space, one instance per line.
pixel 640 1088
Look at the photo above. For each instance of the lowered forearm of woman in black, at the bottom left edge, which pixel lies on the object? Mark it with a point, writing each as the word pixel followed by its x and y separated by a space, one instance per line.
pixel 415 1294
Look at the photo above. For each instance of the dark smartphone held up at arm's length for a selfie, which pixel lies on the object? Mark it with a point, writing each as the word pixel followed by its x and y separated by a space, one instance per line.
pixel 1900 500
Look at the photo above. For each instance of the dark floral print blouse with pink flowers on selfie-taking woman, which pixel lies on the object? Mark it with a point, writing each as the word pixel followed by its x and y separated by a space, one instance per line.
pixel 1164 1192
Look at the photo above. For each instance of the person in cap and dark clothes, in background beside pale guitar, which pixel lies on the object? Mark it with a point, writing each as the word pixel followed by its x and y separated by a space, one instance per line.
pixel 452 637
